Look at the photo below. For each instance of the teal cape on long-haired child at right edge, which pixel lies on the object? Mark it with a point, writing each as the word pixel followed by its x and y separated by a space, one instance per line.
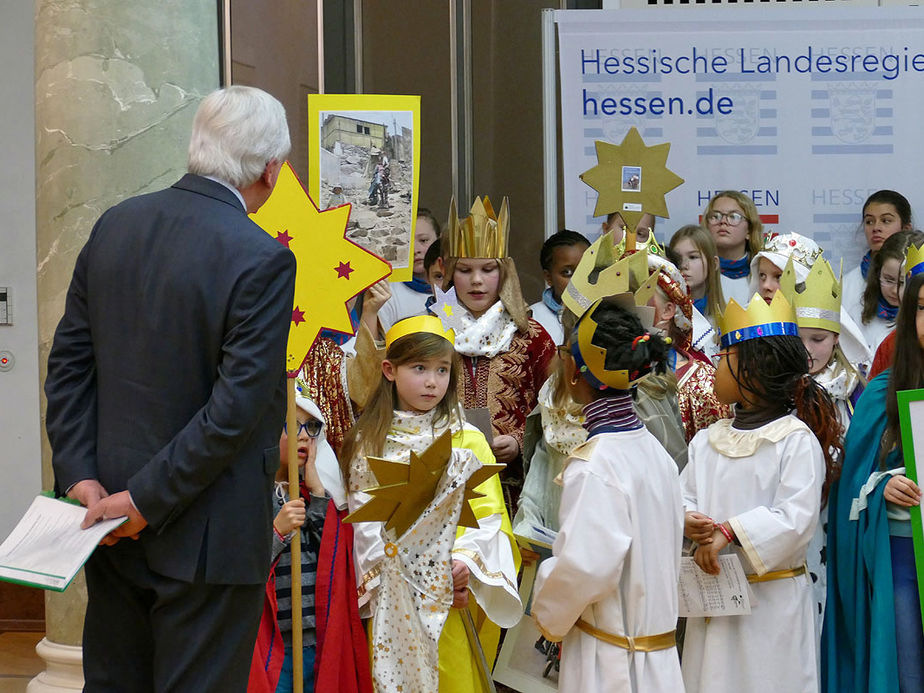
pixel 858 649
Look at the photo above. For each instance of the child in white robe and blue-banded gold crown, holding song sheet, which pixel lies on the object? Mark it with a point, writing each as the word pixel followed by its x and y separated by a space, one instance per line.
pixel 754 485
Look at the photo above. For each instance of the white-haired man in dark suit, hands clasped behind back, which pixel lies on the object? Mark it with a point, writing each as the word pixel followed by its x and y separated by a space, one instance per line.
pixel 166 394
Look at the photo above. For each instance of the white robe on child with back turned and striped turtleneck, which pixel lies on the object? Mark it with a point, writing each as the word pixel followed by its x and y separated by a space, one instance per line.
pixel 615 564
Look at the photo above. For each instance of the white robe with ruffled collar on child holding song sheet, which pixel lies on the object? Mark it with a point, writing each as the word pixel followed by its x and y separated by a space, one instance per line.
pixel 767 484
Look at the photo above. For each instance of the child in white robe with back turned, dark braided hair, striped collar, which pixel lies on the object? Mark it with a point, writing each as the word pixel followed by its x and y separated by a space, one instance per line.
pixel 616 559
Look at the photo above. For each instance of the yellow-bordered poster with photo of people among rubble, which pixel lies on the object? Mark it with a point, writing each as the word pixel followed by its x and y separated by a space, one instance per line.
pixel 367 149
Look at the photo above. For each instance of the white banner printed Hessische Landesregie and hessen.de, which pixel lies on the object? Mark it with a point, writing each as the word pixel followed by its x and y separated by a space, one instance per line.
pixel 806 110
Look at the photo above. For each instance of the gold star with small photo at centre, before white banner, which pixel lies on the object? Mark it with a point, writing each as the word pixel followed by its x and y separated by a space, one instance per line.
pixel 631 179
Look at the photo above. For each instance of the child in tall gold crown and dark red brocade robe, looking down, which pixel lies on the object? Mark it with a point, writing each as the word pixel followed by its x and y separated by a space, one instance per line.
pixel 505 354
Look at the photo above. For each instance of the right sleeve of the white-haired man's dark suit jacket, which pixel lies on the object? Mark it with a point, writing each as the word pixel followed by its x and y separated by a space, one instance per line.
pixel 252 364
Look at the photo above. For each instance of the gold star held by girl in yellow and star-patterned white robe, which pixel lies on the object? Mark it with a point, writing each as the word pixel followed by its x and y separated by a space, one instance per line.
pixel 406 488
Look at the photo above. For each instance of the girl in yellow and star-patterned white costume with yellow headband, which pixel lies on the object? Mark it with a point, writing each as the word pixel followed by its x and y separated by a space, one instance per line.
pixel 408 584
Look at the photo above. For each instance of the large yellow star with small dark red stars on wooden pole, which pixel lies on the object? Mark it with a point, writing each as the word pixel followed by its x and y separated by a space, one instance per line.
pixel 331 268
